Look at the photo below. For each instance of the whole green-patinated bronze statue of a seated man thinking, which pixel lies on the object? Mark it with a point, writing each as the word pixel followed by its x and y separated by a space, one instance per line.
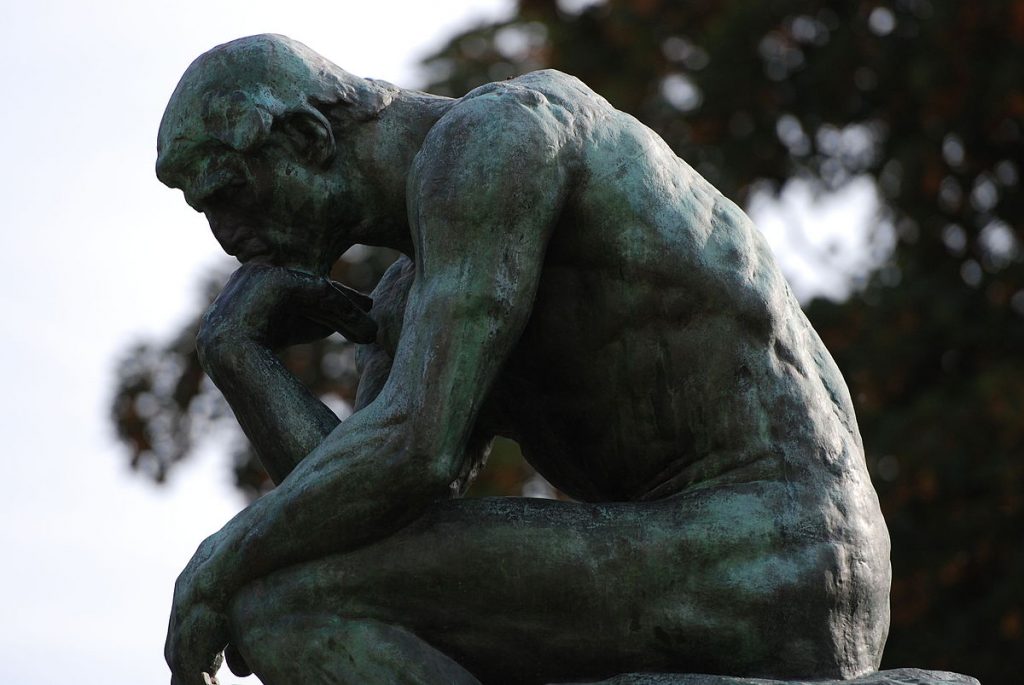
pixel 569 283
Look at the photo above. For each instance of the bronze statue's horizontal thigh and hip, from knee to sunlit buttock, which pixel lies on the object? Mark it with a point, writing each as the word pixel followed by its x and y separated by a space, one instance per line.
pixel 746 580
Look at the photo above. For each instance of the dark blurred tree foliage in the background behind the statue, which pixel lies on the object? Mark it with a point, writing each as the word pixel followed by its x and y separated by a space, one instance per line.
pixel 924 99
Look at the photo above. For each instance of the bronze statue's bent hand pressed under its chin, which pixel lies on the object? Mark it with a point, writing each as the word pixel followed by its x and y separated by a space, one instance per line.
pixel 279 307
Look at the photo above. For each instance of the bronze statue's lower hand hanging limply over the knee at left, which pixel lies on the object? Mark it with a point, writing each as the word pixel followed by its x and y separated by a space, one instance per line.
pixel 198 630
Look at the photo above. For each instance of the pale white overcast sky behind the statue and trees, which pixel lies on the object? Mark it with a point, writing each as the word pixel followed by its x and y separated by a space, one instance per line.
pixel 97 254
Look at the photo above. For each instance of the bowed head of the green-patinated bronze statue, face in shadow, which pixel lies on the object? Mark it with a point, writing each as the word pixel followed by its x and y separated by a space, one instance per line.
pixel 249 136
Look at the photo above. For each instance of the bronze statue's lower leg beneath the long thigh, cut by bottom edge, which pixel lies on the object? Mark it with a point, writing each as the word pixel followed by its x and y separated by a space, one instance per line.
pixel 318 649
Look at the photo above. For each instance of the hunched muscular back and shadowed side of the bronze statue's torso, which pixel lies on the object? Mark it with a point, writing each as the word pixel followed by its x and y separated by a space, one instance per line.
pixel 665 352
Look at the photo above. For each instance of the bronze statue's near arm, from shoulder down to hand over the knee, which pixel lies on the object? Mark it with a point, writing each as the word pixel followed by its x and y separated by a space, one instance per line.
pixel 485 195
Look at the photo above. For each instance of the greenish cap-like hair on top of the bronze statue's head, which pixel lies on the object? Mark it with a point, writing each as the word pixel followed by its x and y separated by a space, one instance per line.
pixel 235 93
